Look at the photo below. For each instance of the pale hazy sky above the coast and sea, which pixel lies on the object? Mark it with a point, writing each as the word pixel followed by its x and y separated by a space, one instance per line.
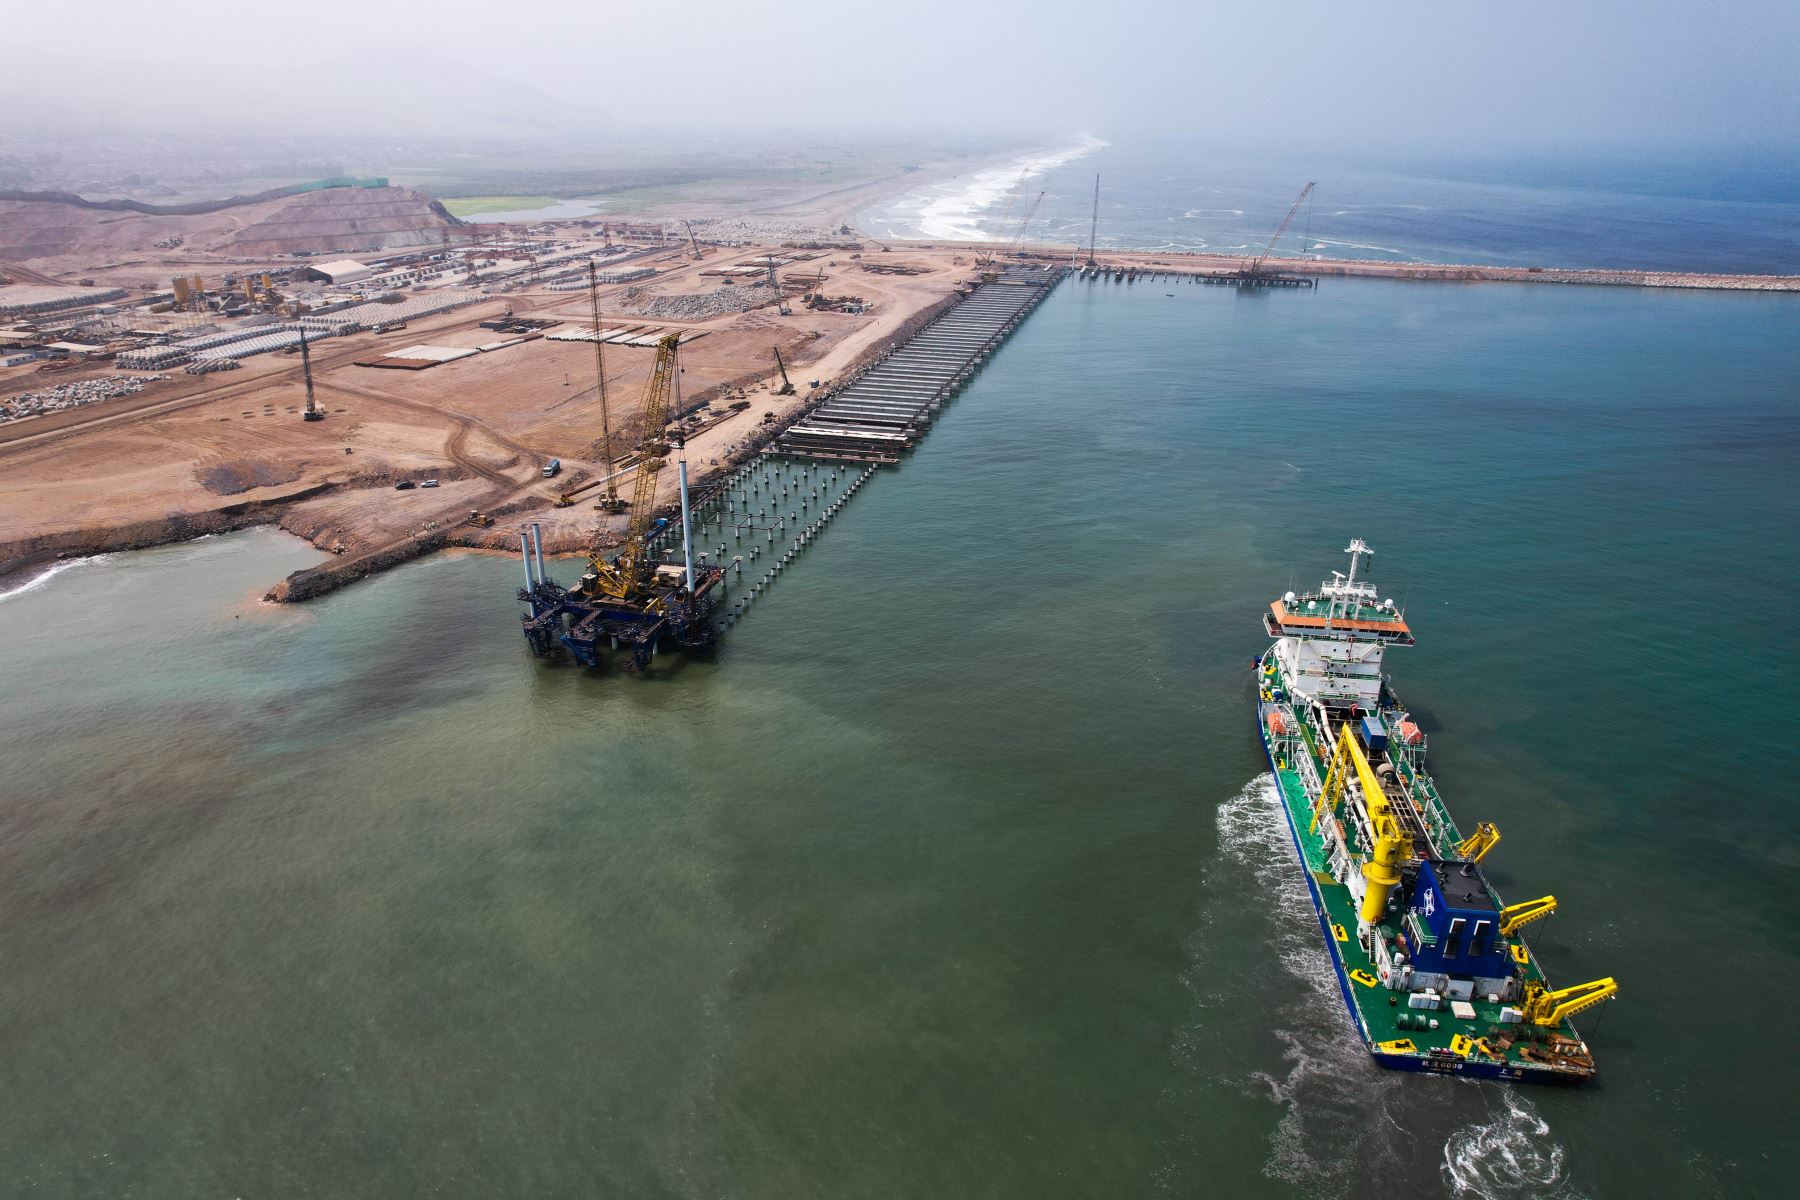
pixel 1466 75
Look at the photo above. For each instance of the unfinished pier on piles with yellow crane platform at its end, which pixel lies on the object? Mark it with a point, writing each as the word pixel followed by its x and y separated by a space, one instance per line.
pixel 683 580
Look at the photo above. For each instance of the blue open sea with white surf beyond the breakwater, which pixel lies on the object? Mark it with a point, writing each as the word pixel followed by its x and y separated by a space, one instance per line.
pixel 1669 213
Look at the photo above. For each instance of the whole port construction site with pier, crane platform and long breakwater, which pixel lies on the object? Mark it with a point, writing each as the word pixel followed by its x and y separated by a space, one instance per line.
pixel 685 404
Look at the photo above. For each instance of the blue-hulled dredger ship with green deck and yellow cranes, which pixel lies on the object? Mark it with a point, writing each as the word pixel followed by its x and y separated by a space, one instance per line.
pixel 1432 963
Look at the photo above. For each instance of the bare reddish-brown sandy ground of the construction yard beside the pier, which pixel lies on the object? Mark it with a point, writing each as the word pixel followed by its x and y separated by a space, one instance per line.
pixel 201 452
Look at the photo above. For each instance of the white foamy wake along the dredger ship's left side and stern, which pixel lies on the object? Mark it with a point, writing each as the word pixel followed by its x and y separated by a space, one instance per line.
pixel 1345 1120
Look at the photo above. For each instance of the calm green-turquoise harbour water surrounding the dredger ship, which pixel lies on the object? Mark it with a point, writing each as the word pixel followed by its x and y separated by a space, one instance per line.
pixel 957 873
